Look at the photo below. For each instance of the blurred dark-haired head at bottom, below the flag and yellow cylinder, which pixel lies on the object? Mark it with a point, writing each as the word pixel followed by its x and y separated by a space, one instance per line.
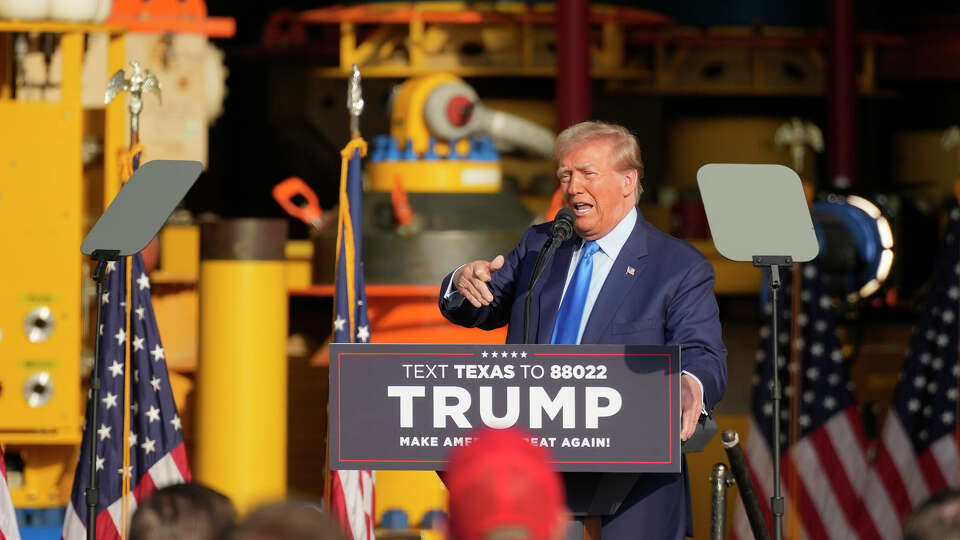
pixel 183 512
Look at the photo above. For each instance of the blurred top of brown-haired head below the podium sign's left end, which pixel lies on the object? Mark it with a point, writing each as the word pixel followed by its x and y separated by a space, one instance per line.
pixel 287 521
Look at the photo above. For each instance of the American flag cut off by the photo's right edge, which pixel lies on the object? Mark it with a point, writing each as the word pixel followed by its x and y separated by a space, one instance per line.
pixel 917 456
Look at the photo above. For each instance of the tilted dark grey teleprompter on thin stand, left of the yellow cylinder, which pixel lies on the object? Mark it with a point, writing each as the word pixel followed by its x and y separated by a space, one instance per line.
pixel 130 222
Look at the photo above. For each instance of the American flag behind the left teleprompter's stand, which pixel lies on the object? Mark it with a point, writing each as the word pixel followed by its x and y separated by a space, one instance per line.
pixel 157 455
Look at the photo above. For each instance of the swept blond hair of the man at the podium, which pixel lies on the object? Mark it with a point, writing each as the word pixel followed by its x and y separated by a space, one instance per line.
pixel 624 148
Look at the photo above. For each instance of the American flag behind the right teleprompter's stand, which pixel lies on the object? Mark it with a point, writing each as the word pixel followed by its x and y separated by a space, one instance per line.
pixel 824 462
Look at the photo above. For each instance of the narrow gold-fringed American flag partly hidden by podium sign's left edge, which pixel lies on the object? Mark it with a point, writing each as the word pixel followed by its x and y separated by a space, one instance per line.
pixel 352 492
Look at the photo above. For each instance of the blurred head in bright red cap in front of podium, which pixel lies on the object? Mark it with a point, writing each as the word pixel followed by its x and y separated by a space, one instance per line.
pixel 503 488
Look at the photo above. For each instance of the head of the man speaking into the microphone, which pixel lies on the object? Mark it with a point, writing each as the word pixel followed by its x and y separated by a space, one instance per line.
pixel 599 168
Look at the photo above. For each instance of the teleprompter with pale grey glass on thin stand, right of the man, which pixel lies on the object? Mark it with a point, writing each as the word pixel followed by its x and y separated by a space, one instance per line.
pixel 759 214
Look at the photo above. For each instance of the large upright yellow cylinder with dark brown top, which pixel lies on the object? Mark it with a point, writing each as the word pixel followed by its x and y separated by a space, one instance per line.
pixel 242 373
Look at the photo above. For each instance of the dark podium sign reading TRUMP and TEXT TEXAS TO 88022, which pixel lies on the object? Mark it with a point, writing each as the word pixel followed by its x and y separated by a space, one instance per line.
pixel 599 408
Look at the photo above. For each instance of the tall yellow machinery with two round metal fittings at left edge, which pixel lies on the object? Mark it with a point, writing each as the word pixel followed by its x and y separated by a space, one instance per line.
pixel 43 203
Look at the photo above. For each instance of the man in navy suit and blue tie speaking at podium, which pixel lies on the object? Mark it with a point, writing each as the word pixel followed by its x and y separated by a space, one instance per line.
pixel 636 285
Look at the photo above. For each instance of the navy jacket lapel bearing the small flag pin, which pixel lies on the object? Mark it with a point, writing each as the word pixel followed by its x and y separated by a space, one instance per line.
pixel 619 281
